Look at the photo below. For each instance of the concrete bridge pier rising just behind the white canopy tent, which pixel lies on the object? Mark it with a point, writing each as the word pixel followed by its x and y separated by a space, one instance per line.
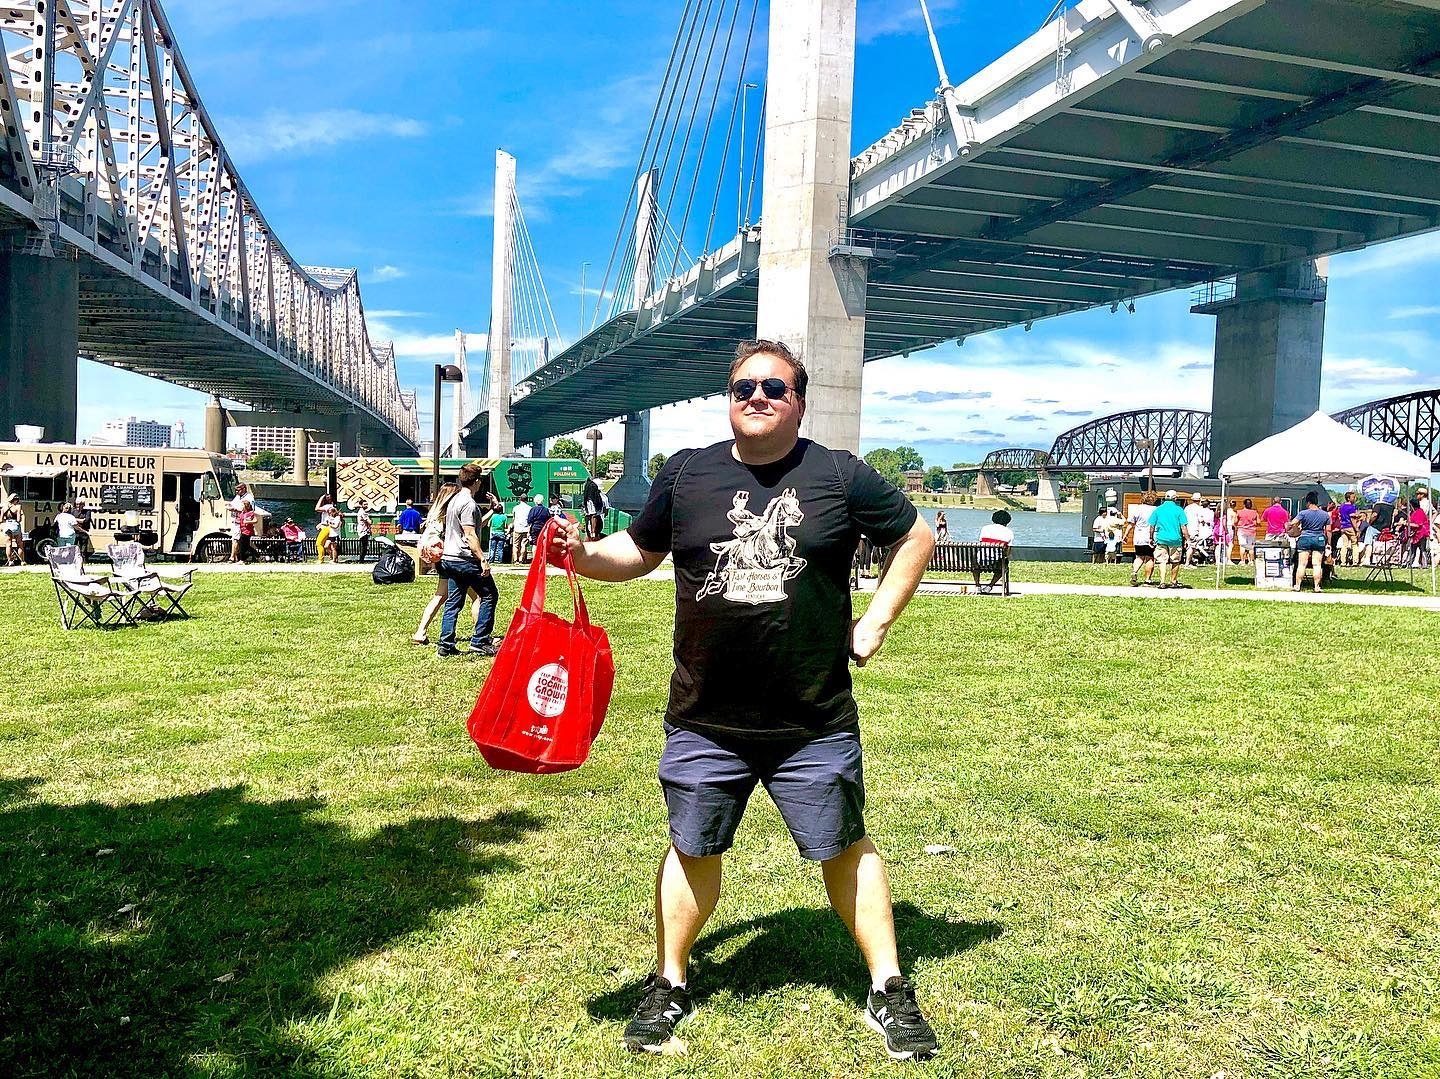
pixel 1269 338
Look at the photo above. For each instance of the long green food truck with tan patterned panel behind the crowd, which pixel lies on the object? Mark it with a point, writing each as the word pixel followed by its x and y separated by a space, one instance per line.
pixel 387 483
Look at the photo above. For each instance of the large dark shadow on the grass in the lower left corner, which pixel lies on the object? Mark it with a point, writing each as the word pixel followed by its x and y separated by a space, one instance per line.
pixel 136 939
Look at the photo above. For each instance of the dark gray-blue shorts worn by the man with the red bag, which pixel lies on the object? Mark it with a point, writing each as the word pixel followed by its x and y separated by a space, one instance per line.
pixel 819 787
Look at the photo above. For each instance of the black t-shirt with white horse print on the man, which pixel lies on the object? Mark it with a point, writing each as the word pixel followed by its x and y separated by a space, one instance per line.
pixel 762 584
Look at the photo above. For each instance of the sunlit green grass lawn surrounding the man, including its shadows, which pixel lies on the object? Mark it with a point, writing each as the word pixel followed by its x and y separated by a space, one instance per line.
pixel 1189 839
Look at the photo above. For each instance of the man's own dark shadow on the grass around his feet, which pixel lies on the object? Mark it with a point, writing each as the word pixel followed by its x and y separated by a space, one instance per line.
pixel 803 947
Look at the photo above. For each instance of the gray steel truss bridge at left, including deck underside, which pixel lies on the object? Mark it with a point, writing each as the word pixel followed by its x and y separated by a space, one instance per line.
pixel 109 158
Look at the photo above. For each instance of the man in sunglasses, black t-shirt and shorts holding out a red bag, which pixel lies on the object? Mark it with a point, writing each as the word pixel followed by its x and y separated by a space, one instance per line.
pixel 764 529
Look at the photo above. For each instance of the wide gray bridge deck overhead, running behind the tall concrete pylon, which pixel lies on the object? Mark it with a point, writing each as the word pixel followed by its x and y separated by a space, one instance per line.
pixel 1124 151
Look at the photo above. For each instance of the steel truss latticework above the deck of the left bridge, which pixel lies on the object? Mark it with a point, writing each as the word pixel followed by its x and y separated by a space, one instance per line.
pixel 156 197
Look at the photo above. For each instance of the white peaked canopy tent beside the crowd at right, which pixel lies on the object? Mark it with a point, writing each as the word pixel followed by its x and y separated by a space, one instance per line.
pixel 1320 450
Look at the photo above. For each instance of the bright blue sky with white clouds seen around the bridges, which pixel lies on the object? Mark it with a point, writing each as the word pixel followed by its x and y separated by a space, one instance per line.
pixel 366 133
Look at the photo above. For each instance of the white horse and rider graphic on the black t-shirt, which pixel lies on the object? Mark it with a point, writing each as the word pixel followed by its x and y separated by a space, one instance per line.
pixel 754 567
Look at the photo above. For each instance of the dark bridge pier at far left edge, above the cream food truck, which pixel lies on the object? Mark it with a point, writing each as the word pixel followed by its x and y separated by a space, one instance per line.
pixel 40 345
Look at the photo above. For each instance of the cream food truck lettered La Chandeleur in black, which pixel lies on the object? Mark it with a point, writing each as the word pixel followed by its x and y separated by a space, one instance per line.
pixel 174 502
